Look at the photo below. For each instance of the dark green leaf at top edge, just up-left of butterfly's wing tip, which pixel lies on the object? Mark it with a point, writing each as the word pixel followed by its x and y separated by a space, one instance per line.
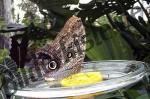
pixel 56 6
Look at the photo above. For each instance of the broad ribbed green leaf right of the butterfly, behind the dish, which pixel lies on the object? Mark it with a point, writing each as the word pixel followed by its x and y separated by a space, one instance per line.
pixel 105 43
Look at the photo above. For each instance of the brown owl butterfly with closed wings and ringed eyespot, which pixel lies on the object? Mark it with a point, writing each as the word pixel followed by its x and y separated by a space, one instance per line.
pixel 65 54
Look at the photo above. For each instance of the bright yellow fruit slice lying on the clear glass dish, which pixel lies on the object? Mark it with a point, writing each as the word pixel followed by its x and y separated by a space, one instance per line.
pixel 82 79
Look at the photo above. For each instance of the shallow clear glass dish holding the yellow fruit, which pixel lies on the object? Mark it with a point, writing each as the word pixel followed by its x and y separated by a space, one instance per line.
pixel 116 74
